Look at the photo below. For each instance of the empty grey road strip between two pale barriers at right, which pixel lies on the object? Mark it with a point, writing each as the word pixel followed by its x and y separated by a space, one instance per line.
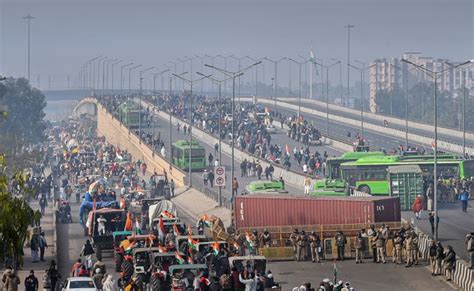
pixel 308 104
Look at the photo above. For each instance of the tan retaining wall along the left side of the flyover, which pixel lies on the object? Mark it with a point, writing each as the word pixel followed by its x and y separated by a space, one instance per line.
pixel 119 135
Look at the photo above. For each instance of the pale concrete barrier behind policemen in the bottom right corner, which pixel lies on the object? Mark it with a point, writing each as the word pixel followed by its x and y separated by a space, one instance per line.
pixel 463 276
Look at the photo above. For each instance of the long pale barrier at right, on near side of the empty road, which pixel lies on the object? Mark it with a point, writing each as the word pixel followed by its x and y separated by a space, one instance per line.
pixel 427 141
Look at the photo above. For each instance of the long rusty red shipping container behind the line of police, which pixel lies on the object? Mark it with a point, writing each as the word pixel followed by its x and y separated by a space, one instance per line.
pixel 287 210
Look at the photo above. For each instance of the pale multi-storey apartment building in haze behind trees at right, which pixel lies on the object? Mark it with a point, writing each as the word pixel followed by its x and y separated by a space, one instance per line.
pixel 390 74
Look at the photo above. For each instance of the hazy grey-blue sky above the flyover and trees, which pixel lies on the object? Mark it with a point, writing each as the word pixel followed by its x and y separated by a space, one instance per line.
pixel 66 33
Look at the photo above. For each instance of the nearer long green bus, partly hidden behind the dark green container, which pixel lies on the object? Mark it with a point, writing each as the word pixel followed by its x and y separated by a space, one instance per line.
pixel 369 174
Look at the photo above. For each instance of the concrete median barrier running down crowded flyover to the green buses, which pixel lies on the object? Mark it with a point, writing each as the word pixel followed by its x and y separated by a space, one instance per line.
pixel 290 177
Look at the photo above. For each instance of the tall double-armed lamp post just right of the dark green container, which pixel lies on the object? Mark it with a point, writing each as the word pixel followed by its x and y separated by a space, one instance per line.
pixel 434 75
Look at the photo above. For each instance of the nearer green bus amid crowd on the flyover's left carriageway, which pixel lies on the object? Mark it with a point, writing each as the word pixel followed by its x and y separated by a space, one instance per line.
pixel 180 155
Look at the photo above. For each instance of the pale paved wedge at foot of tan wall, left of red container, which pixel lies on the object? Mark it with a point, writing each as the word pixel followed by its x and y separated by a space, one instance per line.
pixel 194 204
